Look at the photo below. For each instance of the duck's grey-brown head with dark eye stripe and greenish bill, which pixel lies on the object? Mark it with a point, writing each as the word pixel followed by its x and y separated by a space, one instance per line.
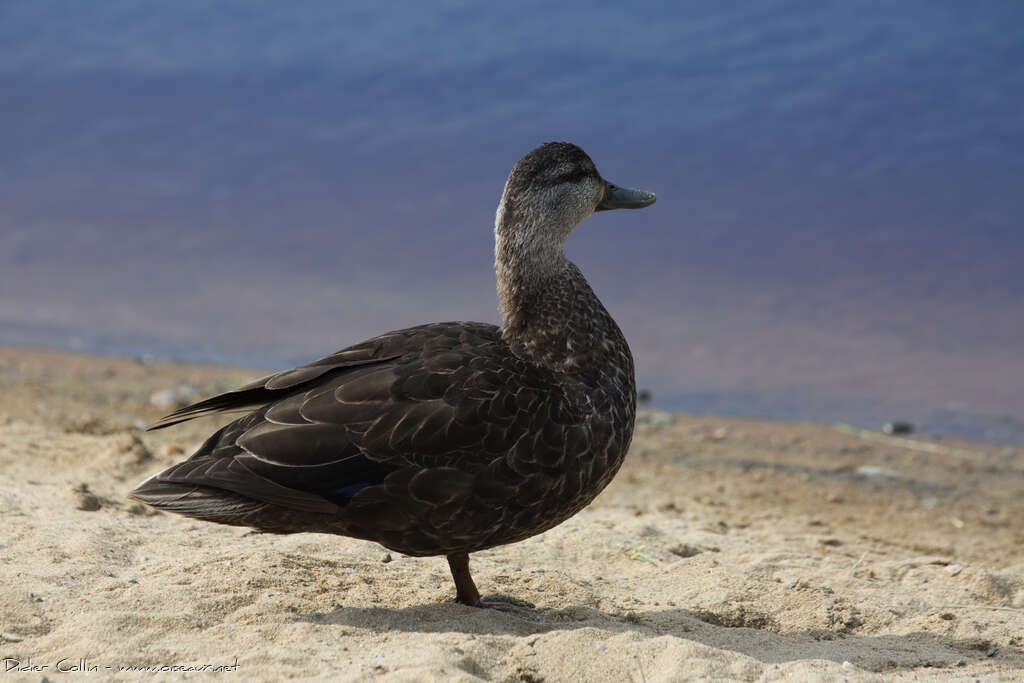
pixel 551 191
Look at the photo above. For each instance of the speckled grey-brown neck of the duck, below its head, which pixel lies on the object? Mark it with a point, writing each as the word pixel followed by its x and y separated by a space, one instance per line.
pixel 549 313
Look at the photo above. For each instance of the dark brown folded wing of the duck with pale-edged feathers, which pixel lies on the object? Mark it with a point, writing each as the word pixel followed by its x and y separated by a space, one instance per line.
pixel 442 402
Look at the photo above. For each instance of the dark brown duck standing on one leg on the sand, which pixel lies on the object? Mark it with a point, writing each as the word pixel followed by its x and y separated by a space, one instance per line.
pixel 445 439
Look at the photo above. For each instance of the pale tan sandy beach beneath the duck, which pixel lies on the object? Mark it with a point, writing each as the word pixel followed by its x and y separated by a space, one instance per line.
pixel 727 549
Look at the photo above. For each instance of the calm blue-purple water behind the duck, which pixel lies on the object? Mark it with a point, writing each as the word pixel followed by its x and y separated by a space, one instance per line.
pixel 838 235
